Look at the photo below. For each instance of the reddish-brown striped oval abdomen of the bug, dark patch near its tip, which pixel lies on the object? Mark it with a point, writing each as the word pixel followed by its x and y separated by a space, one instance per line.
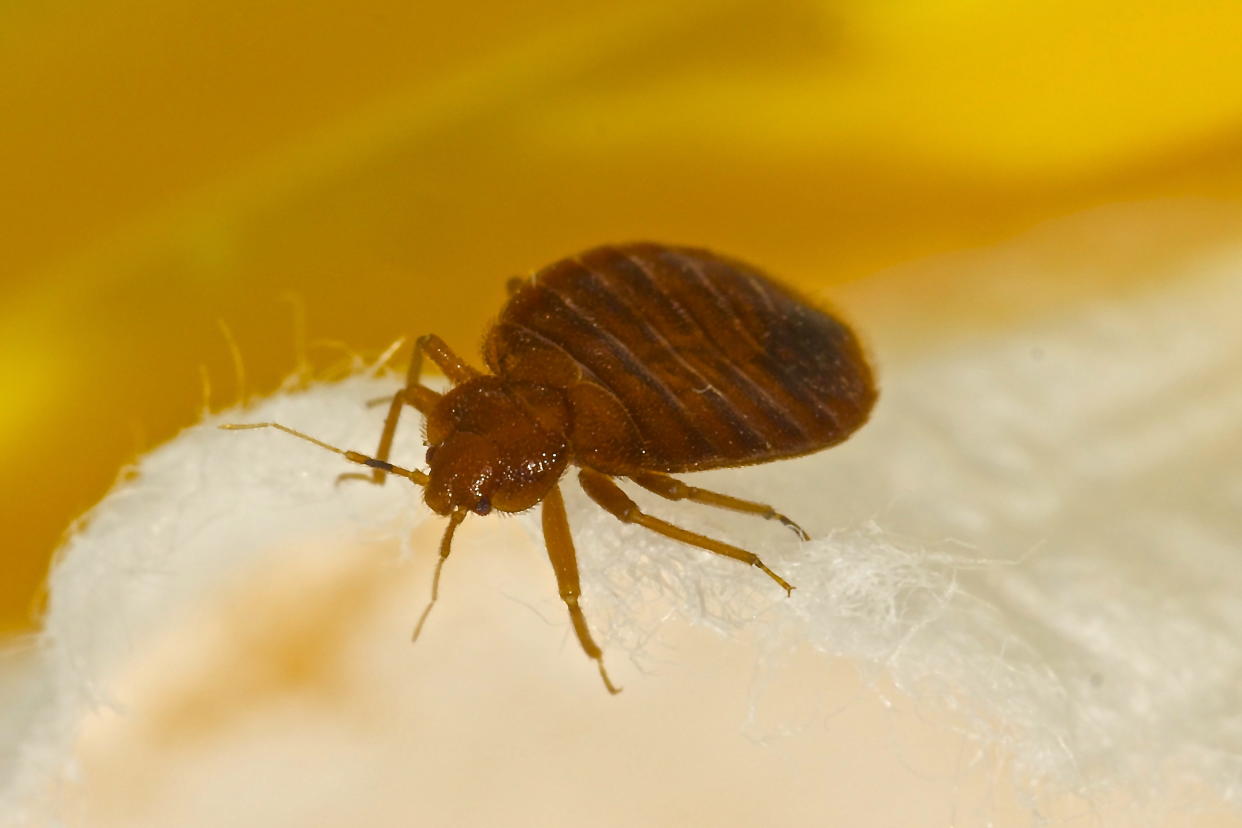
pixel 712 363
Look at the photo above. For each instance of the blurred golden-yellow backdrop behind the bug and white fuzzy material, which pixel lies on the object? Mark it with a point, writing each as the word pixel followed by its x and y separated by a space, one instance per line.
pixel 168 166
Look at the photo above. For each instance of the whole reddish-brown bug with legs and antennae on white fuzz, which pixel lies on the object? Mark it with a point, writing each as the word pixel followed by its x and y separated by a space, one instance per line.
pixel 628 362
